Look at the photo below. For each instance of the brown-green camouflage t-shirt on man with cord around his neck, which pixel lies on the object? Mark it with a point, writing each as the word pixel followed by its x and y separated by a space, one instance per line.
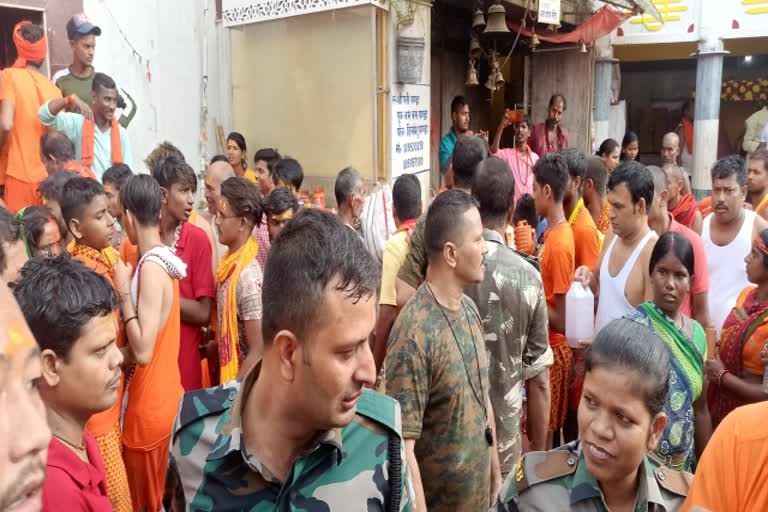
pixel 434 369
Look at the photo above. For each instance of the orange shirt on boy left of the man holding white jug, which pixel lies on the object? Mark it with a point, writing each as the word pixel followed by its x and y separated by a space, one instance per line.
pixel 557 255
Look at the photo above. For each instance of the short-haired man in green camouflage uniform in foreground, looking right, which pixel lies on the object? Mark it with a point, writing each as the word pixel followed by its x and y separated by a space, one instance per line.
pixel 299 432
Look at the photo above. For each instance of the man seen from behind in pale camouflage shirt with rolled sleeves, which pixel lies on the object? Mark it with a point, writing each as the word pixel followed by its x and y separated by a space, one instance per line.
pixel 513 310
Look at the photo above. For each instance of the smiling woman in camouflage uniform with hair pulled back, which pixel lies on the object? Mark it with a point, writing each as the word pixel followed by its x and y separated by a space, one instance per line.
pixel 621 420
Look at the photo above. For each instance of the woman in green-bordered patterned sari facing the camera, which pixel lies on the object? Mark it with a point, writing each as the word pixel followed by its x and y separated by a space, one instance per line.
pixel 688 421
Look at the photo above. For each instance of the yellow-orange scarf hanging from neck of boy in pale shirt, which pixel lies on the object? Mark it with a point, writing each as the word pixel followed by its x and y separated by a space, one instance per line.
pixel 228 333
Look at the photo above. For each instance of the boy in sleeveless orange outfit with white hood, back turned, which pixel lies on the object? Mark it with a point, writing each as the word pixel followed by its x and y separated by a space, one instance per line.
pixel 151 310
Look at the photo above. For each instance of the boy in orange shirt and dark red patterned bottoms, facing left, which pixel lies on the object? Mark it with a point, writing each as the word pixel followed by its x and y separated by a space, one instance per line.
pixel 557 257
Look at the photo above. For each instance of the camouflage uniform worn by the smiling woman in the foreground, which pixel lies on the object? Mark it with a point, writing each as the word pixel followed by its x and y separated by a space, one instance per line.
pixel 558 480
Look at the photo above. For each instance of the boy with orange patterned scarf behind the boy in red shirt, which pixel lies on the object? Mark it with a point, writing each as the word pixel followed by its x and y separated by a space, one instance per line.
pixel 85 212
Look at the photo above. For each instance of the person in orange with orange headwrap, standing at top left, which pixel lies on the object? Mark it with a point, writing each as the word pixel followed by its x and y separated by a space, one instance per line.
pixel 22 89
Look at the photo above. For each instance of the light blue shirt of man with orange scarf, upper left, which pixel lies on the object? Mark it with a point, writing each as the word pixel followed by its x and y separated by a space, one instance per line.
pixel 71 125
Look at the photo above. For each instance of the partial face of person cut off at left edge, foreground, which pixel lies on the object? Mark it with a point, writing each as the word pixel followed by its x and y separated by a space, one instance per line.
pixel 24 433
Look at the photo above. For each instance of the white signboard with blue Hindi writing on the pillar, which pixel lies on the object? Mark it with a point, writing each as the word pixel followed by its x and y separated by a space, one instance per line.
pixel 410 129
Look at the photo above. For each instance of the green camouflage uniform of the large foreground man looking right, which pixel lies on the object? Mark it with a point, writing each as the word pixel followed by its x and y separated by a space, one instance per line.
pixel 348 469
